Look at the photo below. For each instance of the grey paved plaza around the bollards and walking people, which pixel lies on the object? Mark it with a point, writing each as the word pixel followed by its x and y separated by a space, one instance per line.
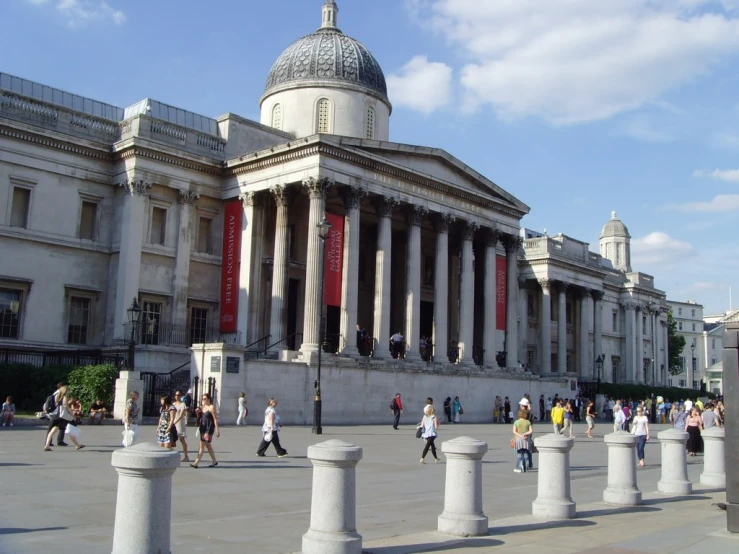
pixel 64 501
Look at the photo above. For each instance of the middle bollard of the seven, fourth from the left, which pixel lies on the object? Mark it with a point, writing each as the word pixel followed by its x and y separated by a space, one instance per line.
pixel 553 499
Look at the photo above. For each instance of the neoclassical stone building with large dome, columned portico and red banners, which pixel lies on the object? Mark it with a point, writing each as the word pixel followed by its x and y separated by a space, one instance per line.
pixel 213 225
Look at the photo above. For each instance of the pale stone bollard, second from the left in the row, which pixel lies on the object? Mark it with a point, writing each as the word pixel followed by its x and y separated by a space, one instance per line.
pixel 333 521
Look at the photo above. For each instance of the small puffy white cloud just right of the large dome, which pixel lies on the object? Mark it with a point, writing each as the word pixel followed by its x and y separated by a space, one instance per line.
pixel 421 85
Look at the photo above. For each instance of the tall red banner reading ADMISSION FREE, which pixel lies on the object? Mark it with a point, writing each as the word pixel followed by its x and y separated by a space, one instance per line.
pixel 230 266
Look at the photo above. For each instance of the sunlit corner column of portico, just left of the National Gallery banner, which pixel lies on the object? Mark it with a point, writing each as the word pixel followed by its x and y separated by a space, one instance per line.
pixel 317 189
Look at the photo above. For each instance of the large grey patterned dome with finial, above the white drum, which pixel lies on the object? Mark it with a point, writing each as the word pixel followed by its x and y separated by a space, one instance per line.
pixel 330 58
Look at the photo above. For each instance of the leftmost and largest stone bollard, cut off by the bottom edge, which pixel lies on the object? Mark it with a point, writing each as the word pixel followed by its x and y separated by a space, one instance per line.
pixel 143 510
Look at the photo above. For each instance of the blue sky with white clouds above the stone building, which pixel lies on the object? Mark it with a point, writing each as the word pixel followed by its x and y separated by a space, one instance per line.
pixel 576 107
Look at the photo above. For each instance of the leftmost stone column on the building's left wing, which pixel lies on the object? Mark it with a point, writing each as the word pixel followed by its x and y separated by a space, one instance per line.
pixel 133 223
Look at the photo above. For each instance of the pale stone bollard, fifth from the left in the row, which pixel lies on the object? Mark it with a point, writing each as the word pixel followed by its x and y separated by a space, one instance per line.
pixel 621 489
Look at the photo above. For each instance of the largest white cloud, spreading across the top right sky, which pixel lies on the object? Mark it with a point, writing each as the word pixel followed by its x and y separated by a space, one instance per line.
pixel 573 61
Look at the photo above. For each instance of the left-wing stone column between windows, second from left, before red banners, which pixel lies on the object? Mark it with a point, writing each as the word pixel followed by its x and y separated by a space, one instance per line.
pixel 181 276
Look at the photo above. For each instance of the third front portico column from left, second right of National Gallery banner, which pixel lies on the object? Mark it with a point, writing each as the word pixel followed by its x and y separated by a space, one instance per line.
pixel 385 207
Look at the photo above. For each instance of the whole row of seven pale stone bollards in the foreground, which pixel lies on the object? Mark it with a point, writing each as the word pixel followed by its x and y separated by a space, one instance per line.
pixel 143 507
